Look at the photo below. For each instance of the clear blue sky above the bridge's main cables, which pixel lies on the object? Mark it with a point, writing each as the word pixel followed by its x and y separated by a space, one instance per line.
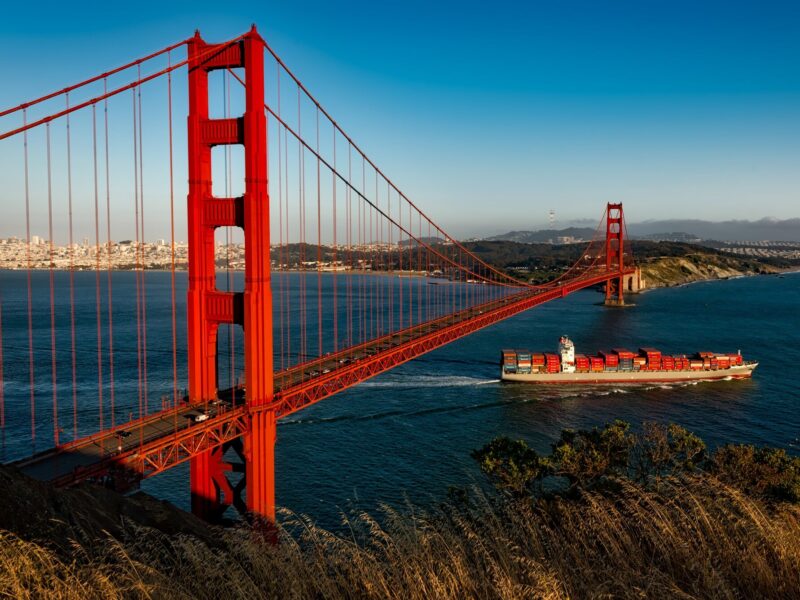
pixel 489 114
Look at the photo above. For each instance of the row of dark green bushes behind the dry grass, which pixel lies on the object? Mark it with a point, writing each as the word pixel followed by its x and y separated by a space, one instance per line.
pixel 606 457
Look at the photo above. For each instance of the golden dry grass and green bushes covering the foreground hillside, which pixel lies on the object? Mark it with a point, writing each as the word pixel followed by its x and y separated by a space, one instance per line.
pixel 606 514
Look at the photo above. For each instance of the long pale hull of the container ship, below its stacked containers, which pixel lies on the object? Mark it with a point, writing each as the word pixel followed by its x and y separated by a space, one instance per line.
pixel 744 371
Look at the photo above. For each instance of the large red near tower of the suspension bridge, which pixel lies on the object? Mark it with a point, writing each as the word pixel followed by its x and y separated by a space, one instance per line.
pixel 209 307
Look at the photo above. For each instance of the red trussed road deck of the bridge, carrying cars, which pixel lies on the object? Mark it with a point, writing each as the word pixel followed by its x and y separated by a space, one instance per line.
pixel 151 444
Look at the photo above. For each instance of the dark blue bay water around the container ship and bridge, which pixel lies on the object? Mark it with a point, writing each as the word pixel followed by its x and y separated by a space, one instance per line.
pixel 406 435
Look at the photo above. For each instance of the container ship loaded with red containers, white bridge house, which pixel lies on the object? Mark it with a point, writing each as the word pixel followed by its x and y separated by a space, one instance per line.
pixel 619 366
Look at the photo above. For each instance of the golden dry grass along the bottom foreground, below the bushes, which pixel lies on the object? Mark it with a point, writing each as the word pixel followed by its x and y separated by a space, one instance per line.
pixel 695 539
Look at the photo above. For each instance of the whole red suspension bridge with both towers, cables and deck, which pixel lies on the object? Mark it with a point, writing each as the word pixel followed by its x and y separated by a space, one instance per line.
pixel 344 276
